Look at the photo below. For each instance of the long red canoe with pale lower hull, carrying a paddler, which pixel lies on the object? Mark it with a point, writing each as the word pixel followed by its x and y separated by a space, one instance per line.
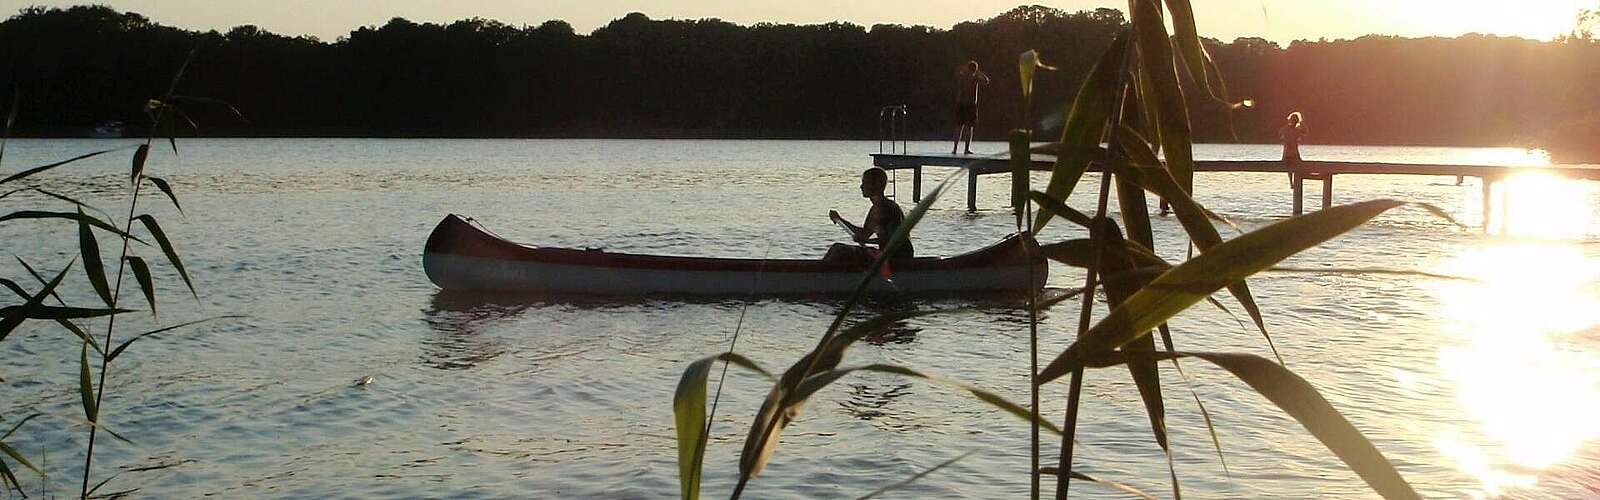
pixel 463 256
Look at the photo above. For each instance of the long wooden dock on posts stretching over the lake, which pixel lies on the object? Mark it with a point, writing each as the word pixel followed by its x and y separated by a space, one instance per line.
pixel 1308 171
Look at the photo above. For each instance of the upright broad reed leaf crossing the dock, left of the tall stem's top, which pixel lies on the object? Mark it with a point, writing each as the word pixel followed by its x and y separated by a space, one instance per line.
pixel 1086 126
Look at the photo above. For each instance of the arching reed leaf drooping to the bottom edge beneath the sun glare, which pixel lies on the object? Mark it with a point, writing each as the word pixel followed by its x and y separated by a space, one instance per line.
pixel 1302 401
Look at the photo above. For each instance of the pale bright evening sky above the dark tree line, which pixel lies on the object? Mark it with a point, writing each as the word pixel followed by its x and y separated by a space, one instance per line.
pixel 1226 20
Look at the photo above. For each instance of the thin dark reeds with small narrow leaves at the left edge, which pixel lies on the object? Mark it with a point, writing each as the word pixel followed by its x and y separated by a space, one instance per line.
pixel 36 299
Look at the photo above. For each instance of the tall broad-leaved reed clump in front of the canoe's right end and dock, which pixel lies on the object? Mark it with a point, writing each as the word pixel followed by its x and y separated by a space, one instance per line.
pixel 1134 102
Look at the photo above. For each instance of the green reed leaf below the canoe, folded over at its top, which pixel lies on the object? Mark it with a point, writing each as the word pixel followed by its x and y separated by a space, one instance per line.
pixel 689 414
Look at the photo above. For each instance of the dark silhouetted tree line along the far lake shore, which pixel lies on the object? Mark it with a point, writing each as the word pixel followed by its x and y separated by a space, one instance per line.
pixel 82 67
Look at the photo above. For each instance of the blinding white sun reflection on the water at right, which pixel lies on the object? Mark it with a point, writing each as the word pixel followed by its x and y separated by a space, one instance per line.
pixel 1526 379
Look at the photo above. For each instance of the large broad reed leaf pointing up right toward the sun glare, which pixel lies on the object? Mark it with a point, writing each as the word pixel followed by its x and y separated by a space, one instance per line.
pixel 1210 272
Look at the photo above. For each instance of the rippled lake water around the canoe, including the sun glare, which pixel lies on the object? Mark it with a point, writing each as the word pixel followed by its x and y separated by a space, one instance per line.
pixel 1473 389
